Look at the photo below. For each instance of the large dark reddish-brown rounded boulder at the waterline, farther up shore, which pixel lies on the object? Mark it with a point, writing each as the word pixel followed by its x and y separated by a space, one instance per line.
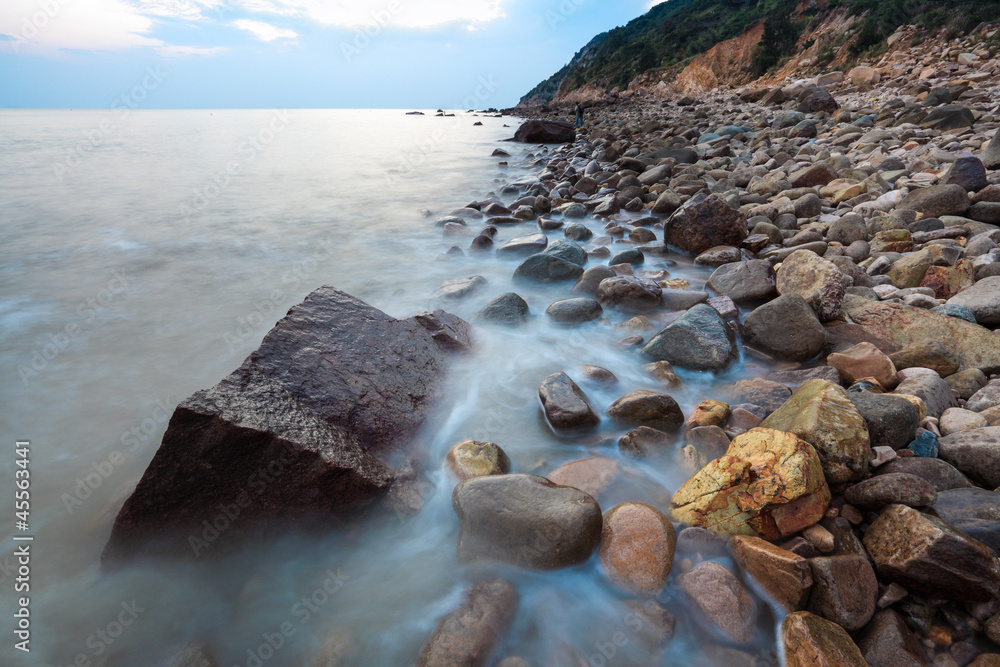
pixel 705 221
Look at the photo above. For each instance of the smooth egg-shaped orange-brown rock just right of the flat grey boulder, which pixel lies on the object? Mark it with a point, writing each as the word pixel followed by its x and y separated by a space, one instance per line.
pixel 637 547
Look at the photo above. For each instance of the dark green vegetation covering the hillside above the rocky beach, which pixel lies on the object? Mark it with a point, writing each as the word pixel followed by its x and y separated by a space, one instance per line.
pixel 672 33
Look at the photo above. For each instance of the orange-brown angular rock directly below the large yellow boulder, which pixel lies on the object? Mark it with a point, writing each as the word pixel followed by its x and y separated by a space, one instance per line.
pixel 785 577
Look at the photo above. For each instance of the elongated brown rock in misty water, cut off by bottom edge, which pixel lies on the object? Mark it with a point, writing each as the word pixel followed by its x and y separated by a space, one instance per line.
pixel 467 636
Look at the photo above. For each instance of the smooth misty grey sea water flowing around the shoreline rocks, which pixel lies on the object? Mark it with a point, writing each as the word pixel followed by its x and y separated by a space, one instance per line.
pixel 142 259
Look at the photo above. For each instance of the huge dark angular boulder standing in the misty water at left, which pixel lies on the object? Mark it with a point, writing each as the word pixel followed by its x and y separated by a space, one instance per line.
pixel 301 429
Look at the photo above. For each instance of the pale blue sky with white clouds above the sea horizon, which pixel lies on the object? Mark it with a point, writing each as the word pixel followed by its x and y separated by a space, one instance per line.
pixel 290 53
